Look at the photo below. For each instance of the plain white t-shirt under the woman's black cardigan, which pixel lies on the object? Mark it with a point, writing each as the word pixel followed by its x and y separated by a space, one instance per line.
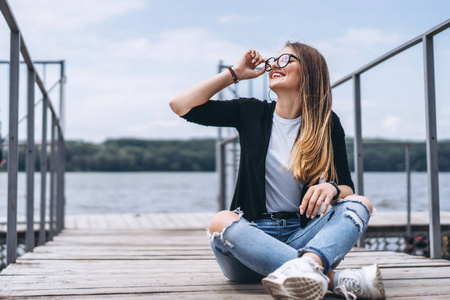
pixel 283 191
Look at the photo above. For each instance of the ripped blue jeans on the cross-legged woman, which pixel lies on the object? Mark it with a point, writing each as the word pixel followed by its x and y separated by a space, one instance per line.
pixel 249 251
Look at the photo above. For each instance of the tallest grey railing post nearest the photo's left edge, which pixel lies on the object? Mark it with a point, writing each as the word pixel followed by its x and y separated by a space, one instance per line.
pixel 13 147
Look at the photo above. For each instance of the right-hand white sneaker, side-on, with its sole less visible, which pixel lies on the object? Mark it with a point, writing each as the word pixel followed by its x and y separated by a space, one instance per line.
pixel 364 283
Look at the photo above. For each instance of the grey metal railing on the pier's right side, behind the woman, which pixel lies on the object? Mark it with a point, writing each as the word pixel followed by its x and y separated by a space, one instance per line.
pixel 431 136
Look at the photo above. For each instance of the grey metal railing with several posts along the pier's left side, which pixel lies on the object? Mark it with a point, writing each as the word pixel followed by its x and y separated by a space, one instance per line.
pixel 57 146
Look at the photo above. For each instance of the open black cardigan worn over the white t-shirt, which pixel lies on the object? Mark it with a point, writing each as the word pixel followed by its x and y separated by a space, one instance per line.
pixel 253 120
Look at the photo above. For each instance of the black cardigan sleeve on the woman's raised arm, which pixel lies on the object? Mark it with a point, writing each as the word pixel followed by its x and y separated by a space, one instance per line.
pixel 216 113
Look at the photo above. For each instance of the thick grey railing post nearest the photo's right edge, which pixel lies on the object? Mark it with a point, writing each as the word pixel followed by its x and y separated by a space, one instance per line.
pixel 432 154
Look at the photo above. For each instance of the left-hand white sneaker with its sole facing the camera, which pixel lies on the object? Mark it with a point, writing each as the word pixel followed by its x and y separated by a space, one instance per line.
pixel 300 278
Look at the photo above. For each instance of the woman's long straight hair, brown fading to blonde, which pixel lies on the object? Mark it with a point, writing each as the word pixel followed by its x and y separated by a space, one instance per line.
pixel 312 154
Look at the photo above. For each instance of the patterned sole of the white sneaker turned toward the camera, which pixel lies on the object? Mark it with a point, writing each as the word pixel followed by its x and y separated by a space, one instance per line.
pixel 294 288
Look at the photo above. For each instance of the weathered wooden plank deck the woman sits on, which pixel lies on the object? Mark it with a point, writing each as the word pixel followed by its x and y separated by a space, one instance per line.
pixel 167 256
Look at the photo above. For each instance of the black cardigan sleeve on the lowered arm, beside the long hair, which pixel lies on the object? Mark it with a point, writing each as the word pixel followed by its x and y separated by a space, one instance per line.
pixel 340 153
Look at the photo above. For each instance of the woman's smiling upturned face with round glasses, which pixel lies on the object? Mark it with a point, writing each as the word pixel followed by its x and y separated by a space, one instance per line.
pixel 285 79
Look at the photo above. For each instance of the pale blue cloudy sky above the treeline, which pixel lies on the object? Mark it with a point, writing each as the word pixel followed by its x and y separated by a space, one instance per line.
pixel 125 60
